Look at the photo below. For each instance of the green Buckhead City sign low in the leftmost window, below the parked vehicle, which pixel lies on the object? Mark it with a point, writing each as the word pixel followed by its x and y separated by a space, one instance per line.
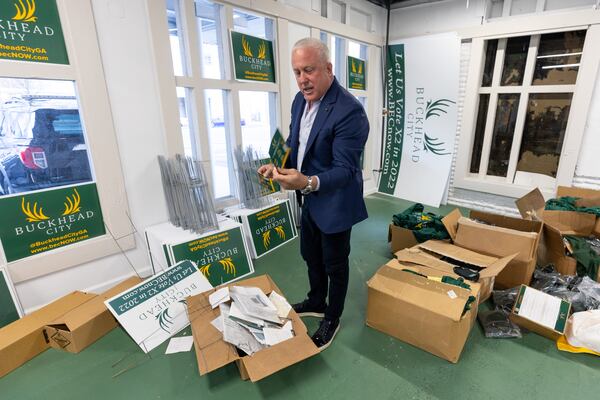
pixel 38 222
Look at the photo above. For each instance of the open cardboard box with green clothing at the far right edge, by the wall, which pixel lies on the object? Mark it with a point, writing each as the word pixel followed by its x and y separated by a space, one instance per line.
pixel 553 248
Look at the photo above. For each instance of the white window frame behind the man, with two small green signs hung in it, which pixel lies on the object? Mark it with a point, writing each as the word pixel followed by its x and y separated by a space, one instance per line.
pixel 281 14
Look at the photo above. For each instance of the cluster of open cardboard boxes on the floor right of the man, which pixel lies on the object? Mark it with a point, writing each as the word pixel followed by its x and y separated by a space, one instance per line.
pixel 504 252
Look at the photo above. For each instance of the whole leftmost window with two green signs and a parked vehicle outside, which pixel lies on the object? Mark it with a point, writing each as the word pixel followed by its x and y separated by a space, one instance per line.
pixel 58 151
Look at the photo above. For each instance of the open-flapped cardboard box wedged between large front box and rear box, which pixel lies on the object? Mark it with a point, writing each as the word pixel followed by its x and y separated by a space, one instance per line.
pixel 430 253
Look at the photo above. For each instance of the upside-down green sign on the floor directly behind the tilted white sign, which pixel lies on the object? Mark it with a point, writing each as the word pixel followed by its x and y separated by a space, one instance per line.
pixel 221 257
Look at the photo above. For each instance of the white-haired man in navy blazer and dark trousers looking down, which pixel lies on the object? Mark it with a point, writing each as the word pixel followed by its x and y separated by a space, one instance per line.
pixel 327 137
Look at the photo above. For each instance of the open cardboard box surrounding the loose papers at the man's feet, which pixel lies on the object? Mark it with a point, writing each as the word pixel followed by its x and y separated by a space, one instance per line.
pixel 212 352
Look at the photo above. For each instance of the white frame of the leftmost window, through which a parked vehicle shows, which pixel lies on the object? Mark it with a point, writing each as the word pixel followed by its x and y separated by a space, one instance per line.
pixel 77 21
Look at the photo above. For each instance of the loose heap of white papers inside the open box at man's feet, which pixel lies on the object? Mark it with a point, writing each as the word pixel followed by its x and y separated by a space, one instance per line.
pixel 251 320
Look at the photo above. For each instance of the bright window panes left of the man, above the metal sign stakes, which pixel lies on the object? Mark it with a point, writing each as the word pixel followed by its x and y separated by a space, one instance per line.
pixel 217 114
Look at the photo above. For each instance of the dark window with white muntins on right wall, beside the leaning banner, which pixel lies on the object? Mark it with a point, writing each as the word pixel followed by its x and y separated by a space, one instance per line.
pixel 523 108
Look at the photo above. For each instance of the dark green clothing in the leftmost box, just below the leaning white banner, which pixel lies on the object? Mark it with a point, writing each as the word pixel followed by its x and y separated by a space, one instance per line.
pixel 425 225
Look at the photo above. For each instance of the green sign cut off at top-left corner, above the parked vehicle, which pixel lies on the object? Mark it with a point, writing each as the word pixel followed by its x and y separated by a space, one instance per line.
pixel 30 30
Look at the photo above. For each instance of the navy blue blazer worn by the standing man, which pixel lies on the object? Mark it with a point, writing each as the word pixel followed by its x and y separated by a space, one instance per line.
pixel 337 140
